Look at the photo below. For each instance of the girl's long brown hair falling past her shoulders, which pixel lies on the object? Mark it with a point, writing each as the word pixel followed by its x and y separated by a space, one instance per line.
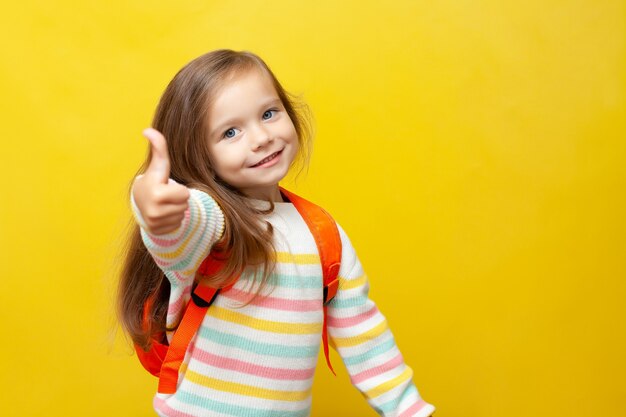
pixel 181 116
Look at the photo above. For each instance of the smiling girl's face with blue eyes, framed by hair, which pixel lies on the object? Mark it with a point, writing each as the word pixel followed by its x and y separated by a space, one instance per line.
pixel 248 125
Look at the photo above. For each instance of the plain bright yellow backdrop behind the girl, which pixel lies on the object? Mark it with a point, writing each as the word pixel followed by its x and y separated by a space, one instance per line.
pixel 473 150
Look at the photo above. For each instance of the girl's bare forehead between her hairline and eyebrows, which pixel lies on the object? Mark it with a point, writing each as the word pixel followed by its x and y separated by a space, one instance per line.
pixel 241 92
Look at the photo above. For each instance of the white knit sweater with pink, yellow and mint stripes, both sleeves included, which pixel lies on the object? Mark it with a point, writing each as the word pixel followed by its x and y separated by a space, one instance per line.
pixel 259 359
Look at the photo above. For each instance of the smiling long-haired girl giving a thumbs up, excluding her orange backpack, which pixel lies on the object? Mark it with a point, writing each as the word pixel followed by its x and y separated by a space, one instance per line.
pixel 225 133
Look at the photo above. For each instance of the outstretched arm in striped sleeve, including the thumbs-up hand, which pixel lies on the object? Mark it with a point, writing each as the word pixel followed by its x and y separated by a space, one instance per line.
pixel 178 226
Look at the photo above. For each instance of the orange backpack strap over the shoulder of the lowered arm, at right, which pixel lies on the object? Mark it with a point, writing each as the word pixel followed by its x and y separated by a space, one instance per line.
pixel 328 241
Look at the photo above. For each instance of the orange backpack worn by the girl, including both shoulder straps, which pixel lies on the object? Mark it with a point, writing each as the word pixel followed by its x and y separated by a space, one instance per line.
pixel 163 360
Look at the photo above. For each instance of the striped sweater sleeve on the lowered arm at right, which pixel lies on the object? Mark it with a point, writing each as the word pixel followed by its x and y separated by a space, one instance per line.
pixel 360 334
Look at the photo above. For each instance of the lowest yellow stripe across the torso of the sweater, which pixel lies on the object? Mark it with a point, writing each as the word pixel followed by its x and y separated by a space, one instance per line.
pixel 243 389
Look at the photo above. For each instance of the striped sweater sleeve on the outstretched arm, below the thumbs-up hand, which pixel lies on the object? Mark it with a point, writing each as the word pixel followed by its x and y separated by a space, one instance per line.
pixel 180 253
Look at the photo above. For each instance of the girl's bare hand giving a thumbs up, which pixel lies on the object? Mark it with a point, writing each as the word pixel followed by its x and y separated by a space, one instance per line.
pixel 161 201
